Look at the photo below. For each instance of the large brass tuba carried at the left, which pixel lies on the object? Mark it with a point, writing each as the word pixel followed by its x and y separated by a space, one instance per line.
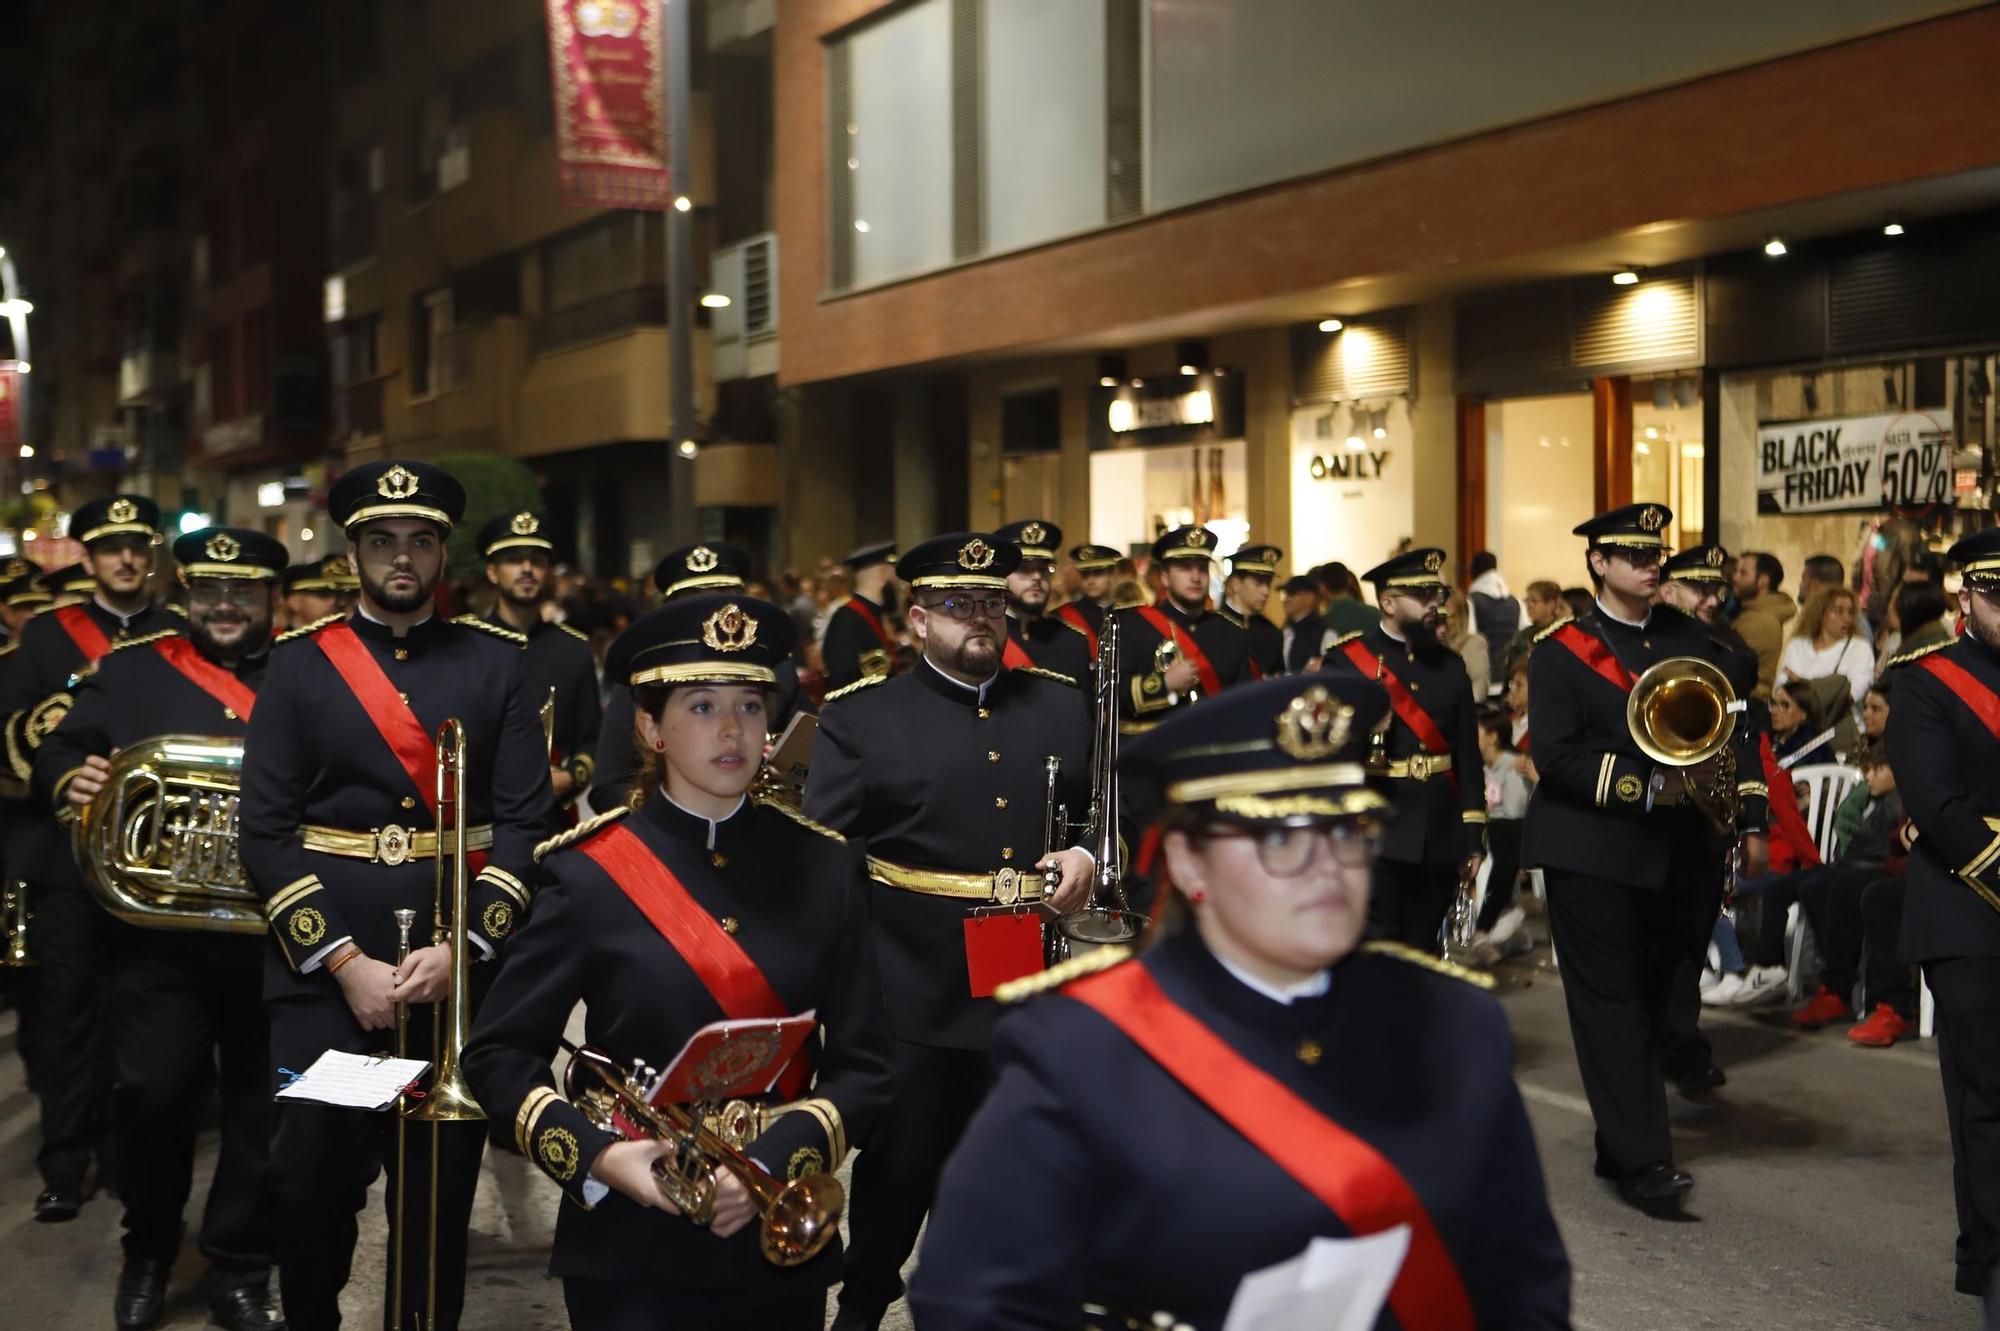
pixel 159 842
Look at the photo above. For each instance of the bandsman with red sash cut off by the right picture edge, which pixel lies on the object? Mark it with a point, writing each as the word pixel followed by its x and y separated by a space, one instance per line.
pixel 1945 746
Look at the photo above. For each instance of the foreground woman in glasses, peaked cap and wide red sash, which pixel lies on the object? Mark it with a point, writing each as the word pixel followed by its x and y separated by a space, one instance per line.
pixel 1285 1066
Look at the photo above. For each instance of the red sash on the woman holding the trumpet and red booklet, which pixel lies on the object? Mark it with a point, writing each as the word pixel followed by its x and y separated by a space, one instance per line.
pixel 717 960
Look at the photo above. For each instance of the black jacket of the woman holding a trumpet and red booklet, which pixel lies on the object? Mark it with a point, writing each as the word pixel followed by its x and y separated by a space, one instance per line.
pixel 799 904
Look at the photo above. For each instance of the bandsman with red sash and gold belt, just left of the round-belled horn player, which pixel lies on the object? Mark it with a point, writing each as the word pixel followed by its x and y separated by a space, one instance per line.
pixel 1431 750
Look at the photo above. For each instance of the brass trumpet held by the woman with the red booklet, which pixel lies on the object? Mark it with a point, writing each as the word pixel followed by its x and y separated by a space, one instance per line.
pixel 799 1218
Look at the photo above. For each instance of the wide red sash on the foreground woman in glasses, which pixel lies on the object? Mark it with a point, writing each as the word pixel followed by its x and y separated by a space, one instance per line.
pixel 1349 1176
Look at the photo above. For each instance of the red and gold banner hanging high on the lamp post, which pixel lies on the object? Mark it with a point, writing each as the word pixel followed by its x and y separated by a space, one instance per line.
pixel 611 123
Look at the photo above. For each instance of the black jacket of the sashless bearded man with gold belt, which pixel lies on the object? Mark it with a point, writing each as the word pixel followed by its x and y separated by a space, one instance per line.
pixel 929 776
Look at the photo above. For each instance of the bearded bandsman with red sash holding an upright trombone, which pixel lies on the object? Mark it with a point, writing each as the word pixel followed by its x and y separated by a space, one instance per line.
pixel 339 834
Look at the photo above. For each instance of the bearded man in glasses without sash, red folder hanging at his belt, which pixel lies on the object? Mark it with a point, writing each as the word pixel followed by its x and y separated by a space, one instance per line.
pixel 941 774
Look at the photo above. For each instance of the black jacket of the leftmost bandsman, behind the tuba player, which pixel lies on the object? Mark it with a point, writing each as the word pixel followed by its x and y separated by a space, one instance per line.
pixel 37 696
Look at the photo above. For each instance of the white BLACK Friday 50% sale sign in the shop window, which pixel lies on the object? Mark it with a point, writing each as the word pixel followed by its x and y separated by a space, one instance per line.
pixel 1821 467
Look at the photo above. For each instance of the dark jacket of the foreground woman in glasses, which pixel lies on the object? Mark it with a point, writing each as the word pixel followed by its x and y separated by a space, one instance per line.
pixel 1053 1200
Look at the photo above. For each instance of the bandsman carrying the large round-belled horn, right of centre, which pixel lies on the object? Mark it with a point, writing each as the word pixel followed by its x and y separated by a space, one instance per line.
pixel 1633 864
